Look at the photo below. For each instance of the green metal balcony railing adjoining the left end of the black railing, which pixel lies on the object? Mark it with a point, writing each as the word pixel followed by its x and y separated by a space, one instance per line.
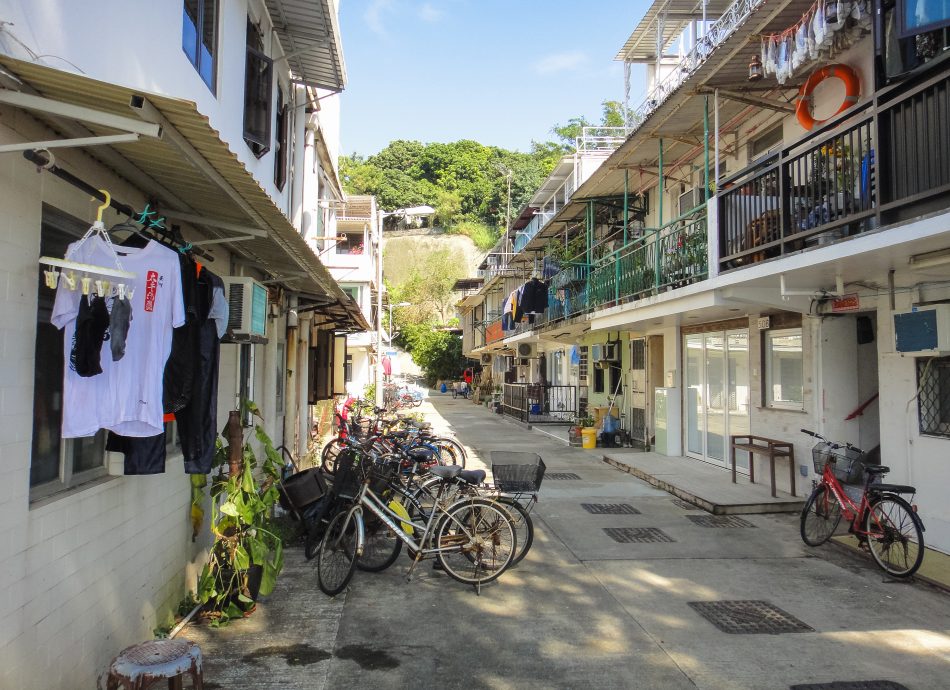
pixel 670 257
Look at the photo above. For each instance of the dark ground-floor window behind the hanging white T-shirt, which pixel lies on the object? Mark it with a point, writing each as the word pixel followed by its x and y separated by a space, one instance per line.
pixel 56 463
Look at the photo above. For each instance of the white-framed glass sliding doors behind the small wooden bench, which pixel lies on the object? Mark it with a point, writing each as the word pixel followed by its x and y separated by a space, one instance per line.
pixel 716 394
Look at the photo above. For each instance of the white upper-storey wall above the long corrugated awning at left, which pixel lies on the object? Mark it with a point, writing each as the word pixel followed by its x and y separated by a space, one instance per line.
pixel 137 43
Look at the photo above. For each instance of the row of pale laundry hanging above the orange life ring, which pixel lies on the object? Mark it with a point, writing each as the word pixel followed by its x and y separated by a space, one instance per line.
pixel 828 28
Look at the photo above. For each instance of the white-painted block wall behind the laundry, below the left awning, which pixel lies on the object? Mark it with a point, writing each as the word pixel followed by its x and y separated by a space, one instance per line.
pixel 93 569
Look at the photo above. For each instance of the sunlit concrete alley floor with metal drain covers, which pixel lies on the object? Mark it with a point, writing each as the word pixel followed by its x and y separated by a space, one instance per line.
pixel 585 611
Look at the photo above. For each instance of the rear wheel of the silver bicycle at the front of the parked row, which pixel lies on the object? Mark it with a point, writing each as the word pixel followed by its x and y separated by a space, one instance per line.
pixel 480 540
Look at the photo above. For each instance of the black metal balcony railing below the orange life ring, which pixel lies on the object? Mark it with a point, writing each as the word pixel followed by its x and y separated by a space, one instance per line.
pixel 880 163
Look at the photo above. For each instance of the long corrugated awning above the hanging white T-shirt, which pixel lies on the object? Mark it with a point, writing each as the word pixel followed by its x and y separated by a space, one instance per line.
pixel 191 170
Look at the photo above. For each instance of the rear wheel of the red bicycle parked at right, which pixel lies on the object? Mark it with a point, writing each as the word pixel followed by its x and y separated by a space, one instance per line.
pixel 895 536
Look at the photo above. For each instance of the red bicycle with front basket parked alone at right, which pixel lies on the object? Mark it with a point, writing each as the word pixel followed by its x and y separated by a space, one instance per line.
pixel 884 522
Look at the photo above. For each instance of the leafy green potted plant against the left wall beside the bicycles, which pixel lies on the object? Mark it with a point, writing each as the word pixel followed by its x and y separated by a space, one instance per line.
pixel 247 554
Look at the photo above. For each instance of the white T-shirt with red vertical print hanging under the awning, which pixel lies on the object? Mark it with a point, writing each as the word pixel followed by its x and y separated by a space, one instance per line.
pixel 127 396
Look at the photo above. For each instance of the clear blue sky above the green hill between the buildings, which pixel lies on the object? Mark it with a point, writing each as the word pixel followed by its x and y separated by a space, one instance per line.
pixel 501 72
